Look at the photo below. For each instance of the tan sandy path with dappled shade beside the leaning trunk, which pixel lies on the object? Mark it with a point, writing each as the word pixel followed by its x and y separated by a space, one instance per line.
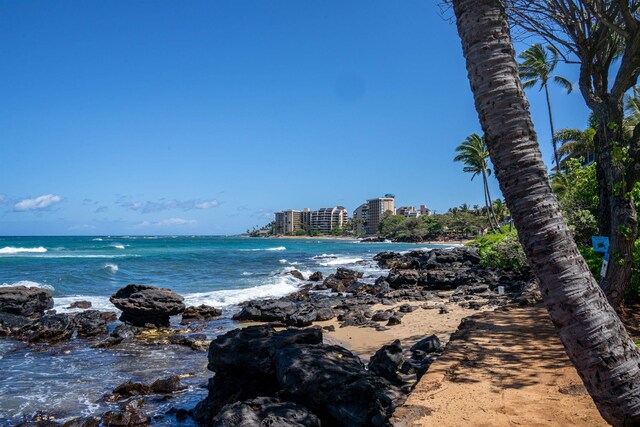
pixel 506 370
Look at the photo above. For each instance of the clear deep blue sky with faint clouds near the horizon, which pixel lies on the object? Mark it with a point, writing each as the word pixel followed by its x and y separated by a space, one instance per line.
pixel 205 117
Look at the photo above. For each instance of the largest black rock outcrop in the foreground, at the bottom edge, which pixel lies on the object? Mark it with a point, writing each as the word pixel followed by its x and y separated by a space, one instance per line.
pixel 327 382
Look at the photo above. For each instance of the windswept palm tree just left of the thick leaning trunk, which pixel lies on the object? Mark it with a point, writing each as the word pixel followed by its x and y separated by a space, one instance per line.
pixel 475 157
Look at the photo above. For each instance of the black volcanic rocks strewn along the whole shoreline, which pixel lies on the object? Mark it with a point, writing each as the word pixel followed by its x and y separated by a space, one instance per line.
pixel 276 372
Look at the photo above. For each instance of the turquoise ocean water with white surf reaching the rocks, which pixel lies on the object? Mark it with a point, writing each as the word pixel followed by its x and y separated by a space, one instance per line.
pixel 68 379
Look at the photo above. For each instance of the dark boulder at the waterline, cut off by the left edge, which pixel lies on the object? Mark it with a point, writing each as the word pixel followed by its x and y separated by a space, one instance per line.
pixel 23 301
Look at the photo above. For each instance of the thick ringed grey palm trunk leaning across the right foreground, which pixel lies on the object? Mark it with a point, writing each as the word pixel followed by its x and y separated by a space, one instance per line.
pixel 593 336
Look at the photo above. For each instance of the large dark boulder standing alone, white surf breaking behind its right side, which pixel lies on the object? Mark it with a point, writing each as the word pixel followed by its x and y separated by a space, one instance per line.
pixel 142 304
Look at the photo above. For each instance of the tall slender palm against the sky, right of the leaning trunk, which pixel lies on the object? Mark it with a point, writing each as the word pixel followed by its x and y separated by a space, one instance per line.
pixel 537 66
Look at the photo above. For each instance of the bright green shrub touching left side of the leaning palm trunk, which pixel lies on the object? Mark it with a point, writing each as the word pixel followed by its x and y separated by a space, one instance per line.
pixel 502 251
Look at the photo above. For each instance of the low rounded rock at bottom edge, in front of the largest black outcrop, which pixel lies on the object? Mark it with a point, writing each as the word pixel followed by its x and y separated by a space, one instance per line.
pixel 265 411
